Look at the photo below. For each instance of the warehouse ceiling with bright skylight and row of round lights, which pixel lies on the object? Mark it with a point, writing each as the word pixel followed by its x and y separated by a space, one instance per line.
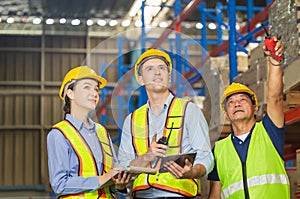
pixel 105 10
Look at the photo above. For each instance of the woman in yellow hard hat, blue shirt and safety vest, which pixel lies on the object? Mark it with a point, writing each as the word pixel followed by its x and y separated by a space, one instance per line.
pixel 80 152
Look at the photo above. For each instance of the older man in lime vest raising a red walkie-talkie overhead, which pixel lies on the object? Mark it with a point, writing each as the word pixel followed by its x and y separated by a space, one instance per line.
pixel 249 162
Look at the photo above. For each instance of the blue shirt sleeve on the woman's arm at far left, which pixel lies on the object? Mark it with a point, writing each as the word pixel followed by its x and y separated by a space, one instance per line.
pixel 63 179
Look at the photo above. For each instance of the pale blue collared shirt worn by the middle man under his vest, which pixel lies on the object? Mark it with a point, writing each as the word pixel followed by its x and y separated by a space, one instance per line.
pixel 195 138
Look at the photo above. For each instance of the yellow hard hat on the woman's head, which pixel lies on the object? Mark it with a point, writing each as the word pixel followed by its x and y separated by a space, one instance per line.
pixel 77 73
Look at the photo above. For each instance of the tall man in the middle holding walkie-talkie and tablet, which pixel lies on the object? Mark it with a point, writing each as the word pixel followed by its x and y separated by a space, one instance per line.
pixel 165 125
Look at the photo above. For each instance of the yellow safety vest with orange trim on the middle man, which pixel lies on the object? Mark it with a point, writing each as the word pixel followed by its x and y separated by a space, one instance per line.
pixel 173 126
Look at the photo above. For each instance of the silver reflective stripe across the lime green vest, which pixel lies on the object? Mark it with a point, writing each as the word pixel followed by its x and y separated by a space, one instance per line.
pixel 254 181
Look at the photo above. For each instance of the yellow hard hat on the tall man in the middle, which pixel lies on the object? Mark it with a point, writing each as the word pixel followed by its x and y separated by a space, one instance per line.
pixel 151 54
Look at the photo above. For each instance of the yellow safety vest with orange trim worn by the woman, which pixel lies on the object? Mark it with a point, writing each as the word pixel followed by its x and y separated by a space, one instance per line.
pixel 87 163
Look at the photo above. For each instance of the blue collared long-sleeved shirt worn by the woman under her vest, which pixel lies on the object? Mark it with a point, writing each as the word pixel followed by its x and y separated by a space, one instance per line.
pixel 63 162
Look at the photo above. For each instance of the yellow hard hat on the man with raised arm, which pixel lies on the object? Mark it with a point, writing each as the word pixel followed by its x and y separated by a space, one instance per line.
pixel 237 88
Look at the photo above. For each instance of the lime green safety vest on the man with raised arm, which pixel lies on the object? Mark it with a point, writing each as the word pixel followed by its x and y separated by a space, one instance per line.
pixel 263 176
